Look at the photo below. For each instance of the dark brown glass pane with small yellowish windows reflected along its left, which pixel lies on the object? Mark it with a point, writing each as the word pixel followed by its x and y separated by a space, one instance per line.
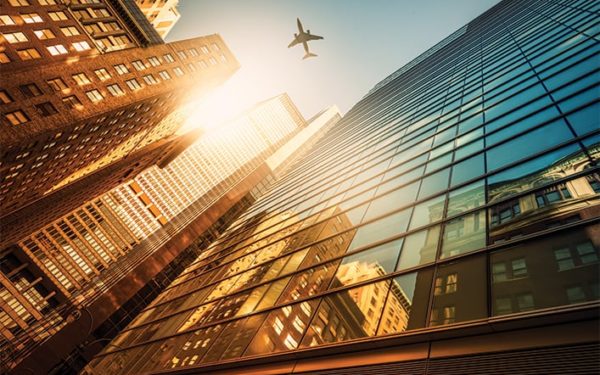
pixel 459 291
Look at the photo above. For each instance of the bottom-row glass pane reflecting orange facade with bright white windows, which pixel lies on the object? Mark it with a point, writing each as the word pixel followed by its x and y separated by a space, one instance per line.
pixel 283 329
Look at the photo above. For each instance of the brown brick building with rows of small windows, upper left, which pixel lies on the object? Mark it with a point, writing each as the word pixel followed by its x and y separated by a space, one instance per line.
pixel 87 95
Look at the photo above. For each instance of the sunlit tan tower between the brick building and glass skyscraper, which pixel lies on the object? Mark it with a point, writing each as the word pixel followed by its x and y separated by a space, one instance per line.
pixel 93 268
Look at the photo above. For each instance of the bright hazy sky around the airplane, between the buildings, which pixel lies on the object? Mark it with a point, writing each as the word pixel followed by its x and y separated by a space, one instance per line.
pixel 364 41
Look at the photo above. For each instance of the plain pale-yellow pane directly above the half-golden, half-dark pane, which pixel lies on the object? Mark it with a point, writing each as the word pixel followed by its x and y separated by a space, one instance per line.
pixel 419 248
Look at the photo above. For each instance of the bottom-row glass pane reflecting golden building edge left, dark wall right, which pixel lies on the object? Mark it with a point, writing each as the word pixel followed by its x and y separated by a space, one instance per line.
pixel 406 306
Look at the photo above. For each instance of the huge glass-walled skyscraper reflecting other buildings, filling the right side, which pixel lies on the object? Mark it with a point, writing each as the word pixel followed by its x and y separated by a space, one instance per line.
pixel 463 188
